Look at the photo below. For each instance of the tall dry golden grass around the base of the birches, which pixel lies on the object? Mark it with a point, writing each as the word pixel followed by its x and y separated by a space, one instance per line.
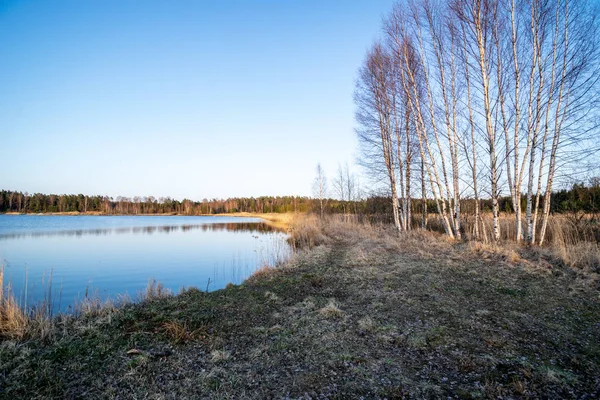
pixel 573 240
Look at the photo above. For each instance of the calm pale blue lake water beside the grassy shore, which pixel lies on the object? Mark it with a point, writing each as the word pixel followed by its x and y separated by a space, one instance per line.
pixel 109 256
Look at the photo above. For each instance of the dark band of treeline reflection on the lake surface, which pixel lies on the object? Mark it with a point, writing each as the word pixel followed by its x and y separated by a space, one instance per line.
pixel 251 227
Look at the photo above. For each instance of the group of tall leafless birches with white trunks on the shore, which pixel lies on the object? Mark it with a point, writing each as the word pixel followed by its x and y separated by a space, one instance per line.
pixel 484 98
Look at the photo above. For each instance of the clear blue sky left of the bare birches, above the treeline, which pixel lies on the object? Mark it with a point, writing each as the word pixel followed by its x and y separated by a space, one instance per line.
pixel 179 98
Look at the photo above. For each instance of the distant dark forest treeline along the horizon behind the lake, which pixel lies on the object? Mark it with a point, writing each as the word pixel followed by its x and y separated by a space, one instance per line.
pixel 579 198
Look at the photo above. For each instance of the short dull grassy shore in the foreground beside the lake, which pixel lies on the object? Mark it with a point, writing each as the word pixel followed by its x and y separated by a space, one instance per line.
pixel 358 312
